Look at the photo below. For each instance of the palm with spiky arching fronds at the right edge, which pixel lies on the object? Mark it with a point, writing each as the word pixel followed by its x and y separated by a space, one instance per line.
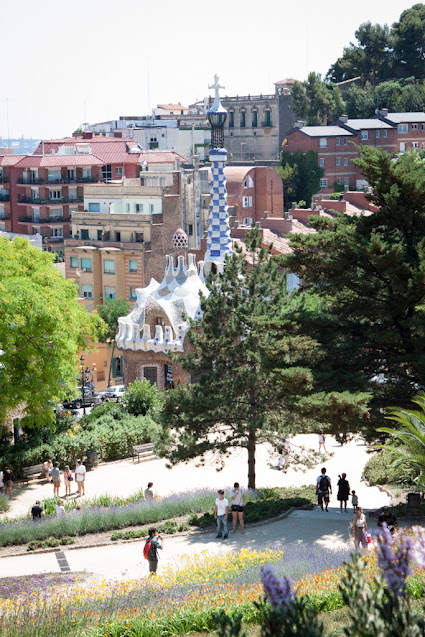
pixel 408 442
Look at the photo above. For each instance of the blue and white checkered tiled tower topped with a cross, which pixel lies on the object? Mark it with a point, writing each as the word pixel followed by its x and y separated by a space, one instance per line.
pixel 219 243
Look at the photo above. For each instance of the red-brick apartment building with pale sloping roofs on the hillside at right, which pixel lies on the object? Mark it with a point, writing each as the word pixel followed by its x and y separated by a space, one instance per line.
pixel 336 145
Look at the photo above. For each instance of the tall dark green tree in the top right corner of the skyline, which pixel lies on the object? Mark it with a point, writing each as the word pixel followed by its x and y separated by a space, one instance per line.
pixel 409 41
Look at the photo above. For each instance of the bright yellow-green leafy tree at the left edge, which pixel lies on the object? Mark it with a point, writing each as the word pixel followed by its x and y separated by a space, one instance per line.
pixel 42 327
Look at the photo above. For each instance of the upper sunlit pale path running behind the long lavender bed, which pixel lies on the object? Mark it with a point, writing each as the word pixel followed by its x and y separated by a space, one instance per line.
pixel 125 477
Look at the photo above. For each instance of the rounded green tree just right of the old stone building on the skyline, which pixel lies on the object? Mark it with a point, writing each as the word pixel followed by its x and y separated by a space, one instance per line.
pixel 317 102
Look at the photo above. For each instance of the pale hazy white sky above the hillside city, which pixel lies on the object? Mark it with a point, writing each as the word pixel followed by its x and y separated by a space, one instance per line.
pixel 64 63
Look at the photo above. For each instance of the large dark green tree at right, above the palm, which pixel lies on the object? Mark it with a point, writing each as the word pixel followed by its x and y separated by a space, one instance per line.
pixel 369 272
